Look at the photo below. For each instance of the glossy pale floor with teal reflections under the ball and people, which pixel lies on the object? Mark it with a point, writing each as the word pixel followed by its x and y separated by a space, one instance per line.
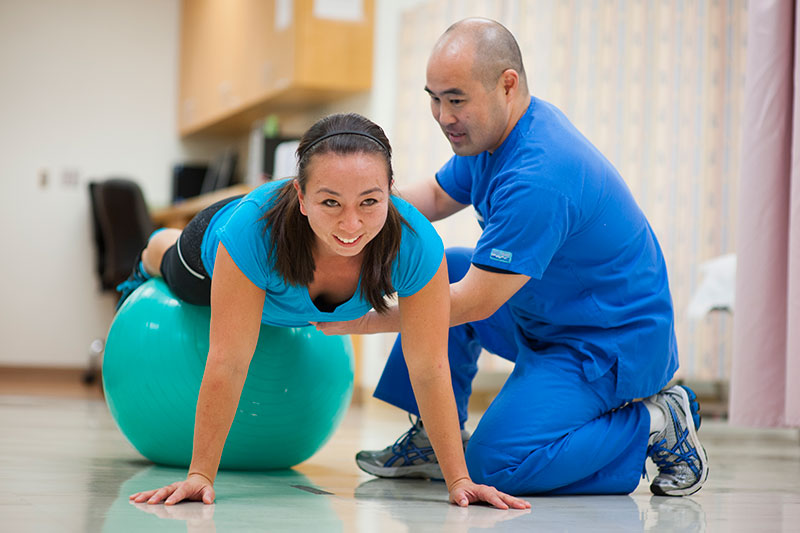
pixel 64 466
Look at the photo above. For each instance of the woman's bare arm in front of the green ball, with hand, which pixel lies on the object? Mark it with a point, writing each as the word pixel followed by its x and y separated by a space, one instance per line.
pixel 236 307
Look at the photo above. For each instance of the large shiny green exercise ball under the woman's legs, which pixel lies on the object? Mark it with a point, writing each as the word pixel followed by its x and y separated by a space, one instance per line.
pixel 297 390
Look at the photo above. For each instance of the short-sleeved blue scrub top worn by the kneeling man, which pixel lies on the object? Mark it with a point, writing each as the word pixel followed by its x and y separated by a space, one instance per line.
pixel 552 207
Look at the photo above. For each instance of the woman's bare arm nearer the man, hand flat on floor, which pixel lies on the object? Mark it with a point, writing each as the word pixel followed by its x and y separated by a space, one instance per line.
pixel 424 324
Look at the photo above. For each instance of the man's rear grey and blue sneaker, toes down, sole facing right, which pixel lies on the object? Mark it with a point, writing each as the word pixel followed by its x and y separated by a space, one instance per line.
pixel 681 459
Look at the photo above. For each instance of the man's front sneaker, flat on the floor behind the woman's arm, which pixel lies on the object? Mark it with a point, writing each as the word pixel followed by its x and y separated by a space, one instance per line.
pixel 411 456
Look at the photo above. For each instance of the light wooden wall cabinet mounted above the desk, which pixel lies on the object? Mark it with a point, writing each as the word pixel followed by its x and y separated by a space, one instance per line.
pixel 243 59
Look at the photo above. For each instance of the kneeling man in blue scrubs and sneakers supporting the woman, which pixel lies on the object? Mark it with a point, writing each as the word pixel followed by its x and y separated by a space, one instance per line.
pixel 567 280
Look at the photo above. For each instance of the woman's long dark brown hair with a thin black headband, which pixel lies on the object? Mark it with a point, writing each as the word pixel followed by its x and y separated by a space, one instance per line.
pixel 291 236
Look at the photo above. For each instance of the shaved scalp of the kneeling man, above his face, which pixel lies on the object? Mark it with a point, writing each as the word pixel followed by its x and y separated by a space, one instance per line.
pixel 492 46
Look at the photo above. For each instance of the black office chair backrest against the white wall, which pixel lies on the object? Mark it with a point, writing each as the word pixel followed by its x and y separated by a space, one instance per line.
pixel 122 225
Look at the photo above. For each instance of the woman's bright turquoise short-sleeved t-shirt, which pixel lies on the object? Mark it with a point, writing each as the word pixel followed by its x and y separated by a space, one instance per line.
pixel 239 227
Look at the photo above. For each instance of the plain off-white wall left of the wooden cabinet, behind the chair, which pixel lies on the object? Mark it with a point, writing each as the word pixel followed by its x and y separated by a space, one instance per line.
pixel 88 89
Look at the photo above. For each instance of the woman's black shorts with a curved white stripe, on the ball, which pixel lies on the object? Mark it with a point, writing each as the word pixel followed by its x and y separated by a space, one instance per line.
pixel 182 266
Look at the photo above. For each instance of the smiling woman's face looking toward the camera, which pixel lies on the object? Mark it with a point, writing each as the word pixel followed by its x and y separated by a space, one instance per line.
pixel 346 200
